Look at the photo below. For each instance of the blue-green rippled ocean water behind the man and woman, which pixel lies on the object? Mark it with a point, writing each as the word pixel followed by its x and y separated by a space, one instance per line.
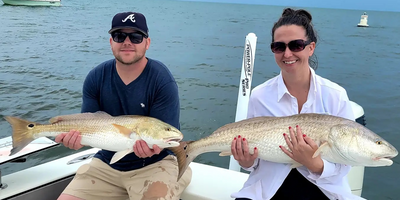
pixel 46 52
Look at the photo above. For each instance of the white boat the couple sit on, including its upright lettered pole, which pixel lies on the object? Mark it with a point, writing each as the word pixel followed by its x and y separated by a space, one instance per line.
pixel 46 181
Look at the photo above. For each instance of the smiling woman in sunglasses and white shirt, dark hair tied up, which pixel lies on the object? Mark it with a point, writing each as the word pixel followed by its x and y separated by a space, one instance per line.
pixel 297 89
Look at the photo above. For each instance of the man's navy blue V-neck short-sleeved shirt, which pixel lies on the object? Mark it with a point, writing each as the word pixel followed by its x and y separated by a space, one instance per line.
pixel 154 93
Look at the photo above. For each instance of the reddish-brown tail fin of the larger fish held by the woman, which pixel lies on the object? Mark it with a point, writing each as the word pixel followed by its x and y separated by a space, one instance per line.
pixel 183 158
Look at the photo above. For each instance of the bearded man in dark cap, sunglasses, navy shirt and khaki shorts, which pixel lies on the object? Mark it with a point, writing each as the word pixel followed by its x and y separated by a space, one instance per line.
pixel 130 84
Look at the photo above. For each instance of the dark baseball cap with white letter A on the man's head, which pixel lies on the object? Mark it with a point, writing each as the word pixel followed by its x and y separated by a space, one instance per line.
pixel 132 20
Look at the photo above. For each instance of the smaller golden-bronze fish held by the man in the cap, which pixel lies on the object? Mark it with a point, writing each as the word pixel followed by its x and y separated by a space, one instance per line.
pixel 99 130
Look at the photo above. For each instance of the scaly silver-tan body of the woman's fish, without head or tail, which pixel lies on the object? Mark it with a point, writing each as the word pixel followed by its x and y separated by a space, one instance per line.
pixel 266 135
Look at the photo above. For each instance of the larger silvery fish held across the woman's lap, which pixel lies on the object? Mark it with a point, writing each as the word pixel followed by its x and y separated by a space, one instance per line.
pixel 339 140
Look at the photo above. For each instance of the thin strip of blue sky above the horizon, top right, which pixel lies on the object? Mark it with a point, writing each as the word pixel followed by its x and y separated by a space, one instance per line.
pixel 377 5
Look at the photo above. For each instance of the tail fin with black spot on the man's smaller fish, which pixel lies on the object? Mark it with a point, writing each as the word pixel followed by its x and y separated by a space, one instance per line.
pixel 22 133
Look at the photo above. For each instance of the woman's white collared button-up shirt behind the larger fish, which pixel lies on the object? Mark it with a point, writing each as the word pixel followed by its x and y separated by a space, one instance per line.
pixel 272 98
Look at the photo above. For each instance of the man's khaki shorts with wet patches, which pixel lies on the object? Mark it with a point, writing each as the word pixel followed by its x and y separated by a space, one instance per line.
pixel 97 181
